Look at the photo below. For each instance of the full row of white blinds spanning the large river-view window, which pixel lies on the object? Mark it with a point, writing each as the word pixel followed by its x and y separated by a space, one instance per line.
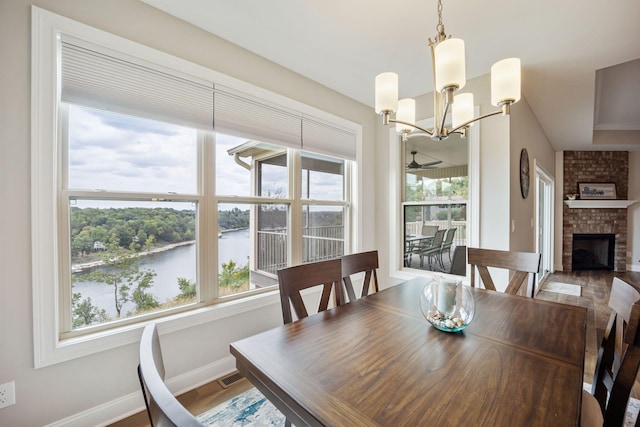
pixel 96 77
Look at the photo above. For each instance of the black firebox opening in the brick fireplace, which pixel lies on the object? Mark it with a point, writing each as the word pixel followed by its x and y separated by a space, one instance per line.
pixel 593 251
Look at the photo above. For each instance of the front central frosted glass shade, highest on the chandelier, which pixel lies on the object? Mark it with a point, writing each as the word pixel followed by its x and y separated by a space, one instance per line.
pixel 450 66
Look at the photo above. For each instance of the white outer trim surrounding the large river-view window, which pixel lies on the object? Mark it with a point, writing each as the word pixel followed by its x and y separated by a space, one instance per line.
pixel 48 349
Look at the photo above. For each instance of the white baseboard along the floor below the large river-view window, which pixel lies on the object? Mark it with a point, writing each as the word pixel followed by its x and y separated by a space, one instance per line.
pixel 132 403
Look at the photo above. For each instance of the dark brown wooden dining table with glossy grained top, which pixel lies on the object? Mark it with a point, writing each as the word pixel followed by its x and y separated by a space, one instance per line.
pixel 377 362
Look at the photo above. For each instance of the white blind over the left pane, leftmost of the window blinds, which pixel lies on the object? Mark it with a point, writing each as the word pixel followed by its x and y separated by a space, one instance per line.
pixel 94 77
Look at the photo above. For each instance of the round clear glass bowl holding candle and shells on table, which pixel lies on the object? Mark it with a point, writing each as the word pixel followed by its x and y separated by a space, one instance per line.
pixel 447 304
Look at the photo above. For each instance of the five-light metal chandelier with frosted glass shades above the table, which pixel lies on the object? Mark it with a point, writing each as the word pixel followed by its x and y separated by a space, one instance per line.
pixel 447 59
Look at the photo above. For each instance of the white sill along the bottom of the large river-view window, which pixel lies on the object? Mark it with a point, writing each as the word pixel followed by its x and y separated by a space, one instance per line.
pixel 73 348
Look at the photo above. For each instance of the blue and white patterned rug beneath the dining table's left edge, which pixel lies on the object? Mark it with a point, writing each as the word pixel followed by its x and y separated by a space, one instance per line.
pixel 250 408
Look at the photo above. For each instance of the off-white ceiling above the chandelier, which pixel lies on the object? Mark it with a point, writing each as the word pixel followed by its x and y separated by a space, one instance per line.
pixel 344 44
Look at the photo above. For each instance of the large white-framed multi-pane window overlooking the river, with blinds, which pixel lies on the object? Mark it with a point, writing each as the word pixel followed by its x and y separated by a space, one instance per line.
pixel 160 189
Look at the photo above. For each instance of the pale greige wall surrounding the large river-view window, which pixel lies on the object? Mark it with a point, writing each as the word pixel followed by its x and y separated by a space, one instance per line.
pixel 80 391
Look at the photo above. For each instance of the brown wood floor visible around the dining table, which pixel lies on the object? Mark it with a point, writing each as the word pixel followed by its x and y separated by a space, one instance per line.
pixel 595 287
